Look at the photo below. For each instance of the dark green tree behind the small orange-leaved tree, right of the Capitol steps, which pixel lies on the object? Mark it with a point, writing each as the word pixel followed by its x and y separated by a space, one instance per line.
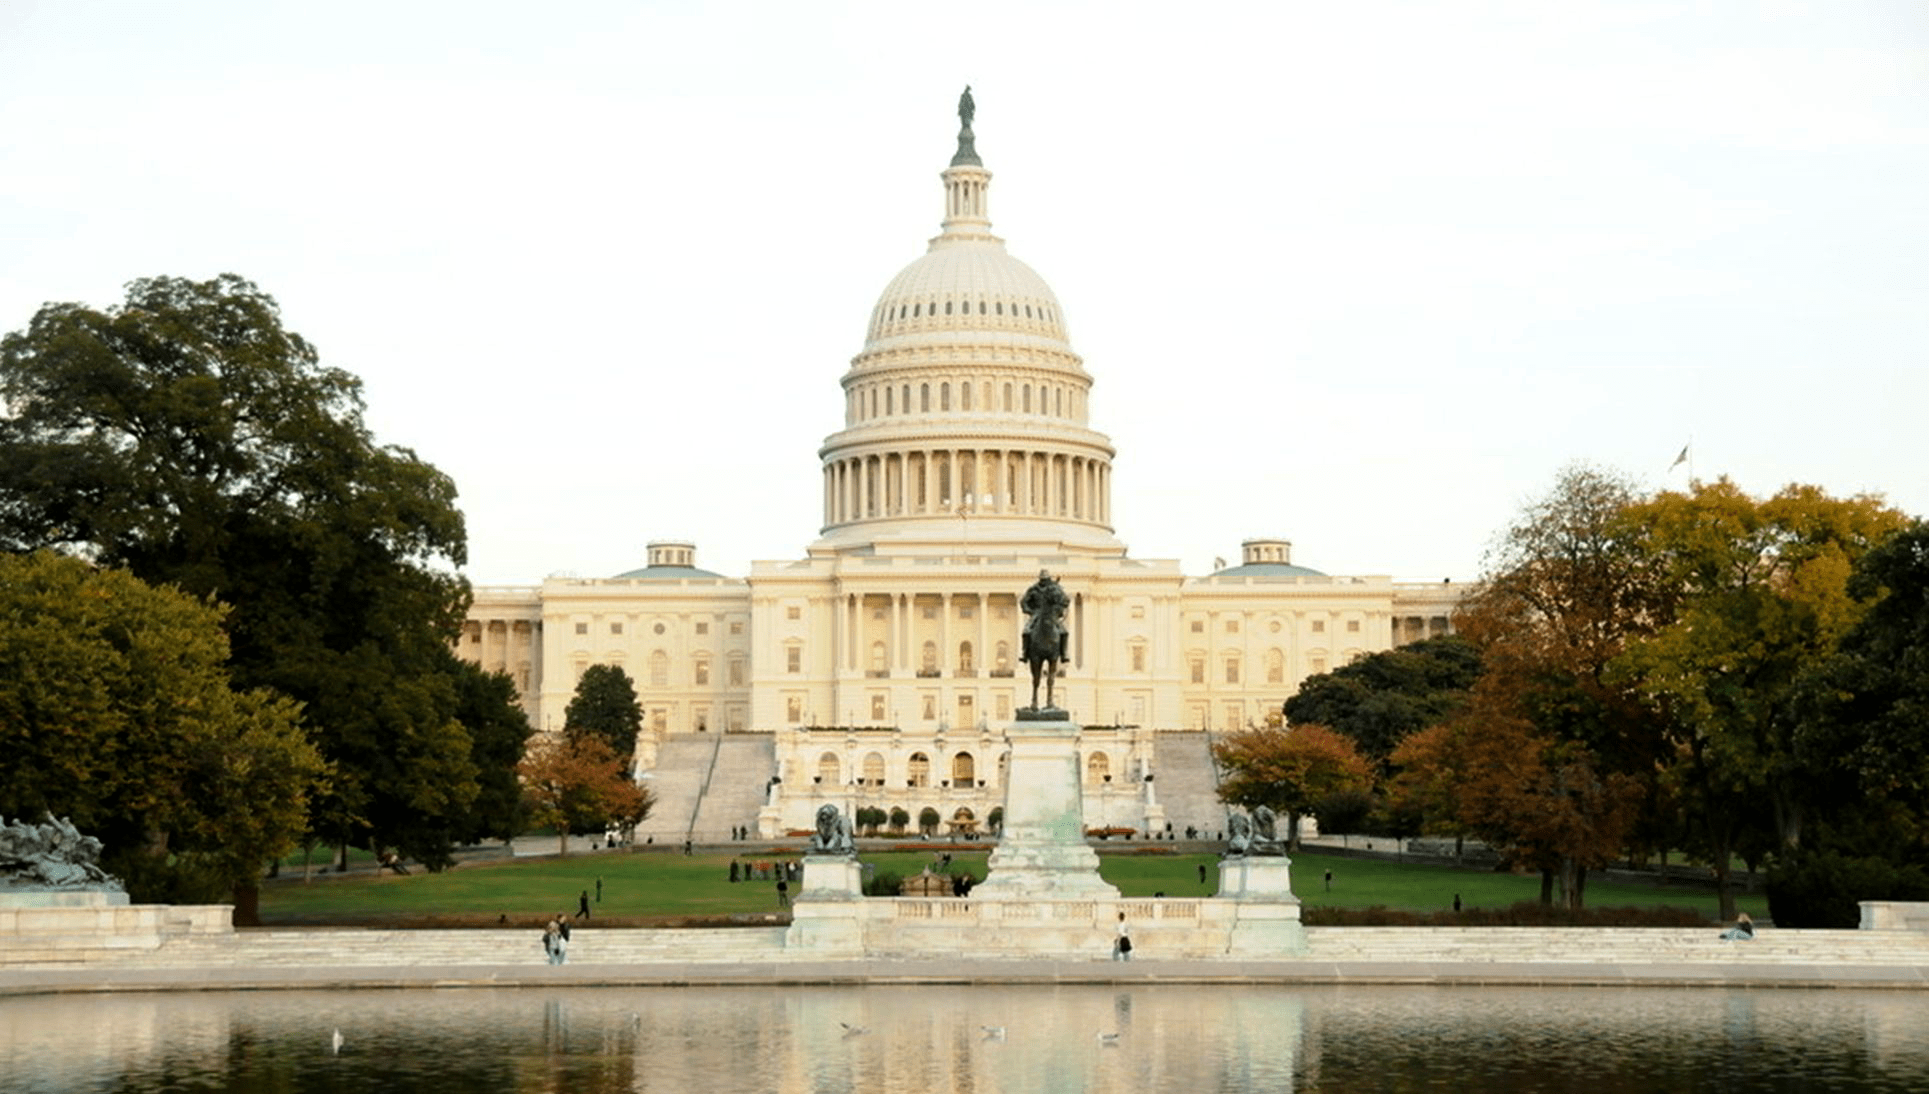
pixel 1384 697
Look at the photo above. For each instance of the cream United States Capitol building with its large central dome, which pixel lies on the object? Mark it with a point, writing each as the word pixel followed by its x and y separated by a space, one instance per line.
pixel 883 667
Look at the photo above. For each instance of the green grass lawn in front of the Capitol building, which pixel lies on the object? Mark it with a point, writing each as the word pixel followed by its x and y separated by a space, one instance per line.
pixel 668 885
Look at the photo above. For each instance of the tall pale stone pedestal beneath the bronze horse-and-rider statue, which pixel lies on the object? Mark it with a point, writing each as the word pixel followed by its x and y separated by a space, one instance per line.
pixel 1043 852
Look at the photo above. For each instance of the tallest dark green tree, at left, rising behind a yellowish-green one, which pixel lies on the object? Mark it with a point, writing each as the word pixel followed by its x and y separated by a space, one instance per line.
pixel 188 437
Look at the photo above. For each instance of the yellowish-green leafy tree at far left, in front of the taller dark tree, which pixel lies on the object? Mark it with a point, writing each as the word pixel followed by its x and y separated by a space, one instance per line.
pixel 117 713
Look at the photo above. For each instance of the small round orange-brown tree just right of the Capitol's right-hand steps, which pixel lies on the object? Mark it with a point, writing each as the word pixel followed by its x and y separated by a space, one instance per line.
pixel 1290 771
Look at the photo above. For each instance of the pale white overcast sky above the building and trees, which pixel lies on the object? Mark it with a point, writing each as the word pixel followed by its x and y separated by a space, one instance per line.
pixel 1367 277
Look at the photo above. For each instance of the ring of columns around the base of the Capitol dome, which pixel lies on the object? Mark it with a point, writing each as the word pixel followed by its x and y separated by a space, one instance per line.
pixel 994 483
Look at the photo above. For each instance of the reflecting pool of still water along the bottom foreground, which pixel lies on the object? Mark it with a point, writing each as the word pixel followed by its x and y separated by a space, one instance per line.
pixel 983 1039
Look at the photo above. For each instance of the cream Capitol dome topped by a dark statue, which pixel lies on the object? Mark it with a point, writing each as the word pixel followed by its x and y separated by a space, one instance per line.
pixel 967 398
